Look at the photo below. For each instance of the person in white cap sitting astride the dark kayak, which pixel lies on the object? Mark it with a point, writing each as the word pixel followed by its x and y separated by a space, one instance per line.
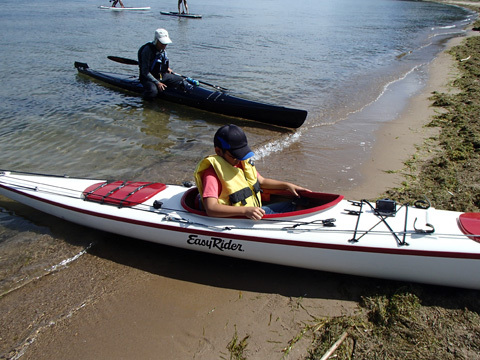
pixel 155 73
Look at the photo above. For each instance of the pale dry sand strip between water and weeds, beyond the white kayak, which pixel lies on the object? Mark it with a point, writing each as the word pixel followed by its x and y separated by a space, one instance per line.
pixel 398 140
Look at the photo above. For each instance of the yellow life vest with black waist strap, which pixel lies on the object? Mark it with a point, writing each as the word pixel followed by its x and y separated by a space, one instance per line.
pixel 240 187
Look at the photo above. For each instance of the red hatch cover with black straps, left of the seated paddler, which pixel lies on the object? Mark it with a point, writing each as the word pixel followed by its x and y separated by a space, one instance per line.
pixel 122 193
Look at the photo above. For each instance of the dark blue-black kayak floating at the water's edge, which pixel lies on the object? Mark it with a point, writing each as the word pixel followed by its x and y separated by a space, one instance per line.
pixel 217 100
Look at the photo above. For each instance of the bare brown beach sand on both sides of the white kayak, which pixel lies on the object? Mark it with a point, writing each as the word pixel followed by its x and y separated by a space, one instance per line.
pixel 129 300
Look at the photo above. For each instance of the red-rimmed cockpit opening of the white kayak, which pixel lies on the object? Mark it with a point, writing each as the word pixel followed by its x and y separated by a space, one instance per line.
pixel 315 202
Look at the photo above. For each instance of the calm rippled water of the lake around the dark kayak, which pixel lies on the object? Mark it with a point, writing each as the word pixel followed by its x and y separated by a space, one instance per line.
pixel 333 58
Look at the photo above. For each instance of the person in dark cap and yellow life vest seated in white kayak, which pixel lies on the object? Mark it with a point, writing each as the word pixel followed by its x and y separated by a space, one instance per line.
pixel 229 184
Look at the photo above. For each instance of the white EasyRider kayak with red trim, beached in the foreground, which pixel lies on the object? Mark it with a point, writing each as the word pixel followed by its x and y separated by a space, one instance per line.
pixel 382 239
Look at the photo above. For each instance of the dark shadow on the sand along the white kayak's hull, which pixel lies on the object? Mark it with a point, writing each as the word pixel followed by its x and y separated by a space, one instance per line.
pixel 246 275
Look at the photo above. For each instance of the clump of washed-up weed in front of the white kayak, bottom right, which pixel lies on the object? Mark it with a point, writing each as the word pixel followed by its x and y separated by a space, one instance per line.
pixel 414 322
